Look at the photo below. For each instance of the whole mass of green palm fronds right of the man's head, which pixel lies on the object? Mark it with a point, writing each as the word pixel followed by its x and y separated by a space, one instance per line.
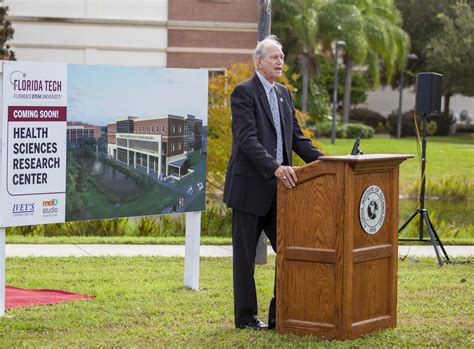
pixel 371 29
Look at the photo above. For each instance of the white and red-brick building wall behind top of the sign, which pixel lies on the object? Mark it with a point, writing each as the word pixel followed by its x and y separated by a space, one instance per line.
pixel 167 33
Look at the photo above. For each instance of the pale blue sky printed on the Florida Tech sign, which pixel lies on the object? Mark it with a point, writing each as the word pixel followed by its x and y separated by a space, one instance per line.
pixel 99 94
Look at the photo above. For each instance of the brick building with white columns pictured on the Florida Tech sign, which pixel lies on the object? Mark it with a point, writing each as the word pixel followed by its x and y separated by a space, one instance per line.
pixel 161 146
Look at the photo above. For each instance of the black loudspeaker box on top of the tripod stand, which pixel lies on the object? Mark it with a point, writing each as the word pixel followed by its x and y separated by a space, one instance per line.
pixel 428 93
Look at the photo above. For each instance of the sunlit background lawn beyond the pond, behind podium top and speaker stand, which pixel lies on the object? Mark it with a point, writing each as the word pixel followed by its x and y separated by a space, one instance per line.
pixel 445 156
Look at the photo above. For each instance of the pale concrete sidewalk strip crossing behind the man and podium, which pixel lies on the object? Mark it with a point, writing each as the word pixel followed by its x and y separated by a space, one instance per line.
pixel 32 250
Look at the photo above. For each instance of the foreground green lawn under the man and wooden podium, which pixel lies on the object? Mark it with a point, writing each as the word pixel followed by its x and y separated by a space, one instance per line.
pixel 140 302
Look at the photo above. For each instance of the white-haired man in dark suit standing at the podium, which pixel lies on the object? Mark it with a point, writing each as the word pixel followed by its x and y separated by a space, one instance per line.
pixel 265 131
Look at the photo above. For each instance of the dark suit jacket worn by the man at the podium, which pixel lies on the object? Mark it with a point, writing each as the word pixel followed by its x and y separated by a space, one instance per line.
pixel 250 184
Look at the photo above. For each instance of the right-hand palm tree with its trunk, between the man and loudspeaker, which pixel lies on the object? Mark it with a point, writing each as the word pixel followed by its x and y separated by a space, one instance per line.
pixel 373 35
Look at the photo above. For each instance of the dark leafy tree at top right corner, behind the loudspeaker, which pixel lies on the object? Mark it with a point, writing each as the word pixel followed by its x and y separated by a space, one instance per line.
pixel 451 53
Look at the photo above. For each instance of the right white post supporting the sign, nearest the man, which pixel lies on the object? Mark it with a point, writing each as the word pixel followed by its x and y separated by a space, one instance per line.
pixel 191 251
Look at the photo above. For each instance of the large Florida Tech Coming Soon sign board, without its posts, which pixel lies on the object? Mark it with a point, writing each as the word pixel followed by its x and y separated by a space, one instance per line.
pixel 86 142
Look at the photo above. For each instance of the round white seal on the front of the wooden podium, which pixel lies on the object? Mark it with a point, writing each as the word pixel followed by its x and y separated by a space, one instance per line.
pixel 372 209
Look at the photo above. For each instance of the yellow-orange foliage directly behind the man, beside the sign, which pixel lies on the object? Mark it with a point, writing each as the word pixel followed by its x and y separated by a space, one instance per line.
pixel 219 121
